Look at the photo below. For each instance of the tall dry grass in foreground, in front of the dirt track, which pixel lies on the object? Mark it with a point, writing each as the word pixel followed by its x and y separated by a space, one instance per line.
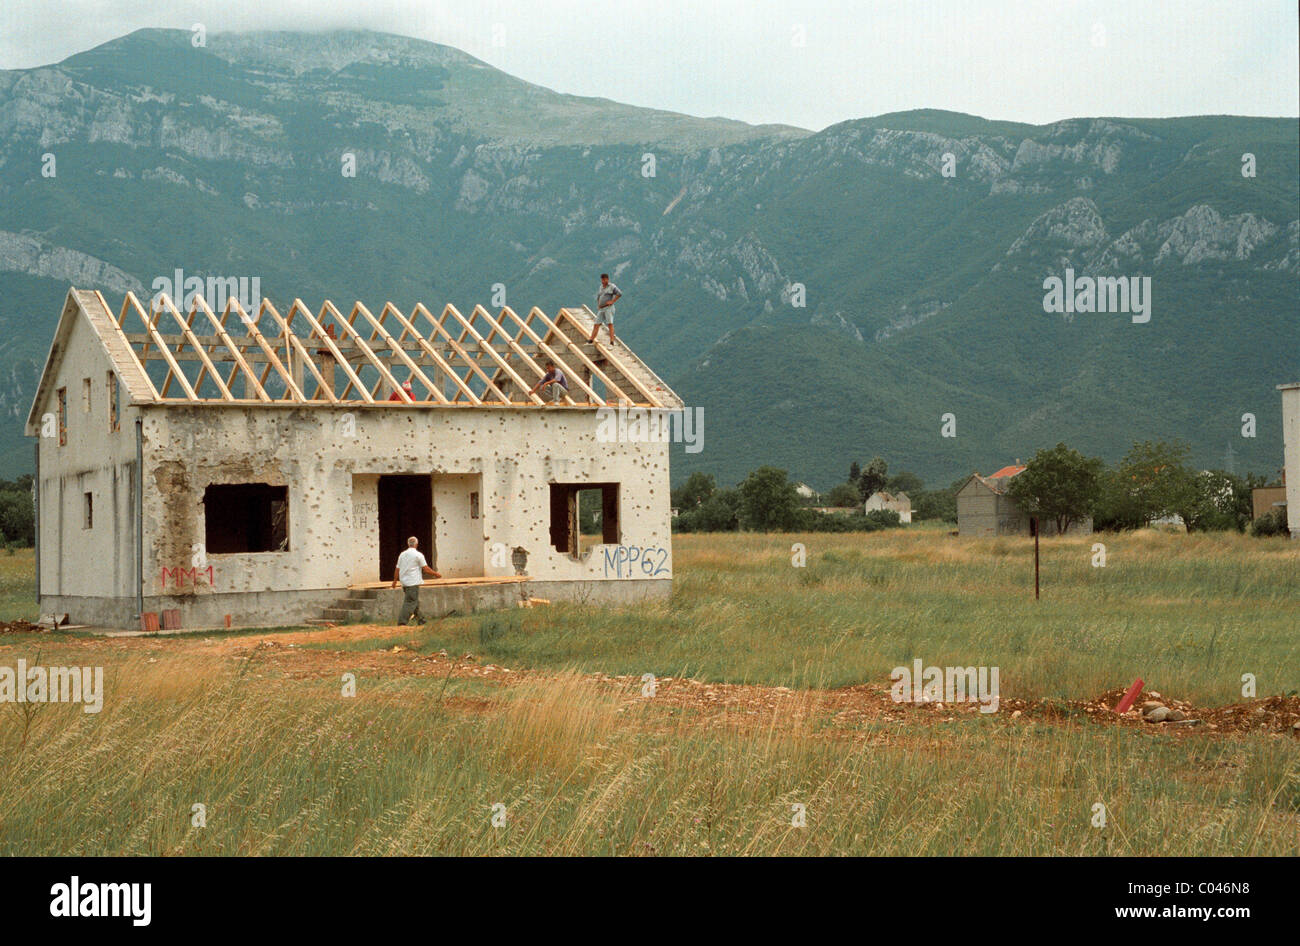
pixel 293 767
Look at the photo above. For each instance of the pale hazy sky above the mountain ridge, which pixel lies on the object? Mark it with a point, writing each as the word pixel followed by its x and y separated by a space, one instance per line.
pixel 809 64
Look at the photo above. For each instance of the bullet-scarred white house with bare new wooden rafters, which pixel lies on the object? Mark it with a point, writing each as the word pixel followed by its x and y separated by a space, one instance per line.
pixel 267 468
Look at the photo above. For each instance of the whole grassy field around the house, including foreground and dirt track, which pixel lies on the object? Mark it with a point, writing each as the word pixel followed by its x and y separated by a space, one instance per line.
pixel 519 714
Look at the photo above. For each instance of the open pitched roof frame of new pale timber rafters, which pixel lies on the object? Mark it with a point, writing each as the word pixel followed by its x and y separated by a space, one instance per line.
pixel 200 357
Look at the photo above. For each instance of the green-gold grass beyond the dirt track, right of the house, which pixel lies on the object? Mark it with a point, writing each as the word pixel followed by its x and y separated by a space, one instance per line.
pixel 1189 614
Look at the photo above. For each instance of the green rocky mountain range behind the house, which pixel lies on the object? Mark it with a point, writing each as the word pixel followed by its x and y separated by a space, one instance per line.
pixel 824 297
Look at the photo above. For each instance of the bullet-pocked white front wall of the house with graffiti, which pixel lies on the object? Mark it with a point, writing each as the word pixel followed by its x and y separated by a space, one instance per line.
pixel 331 461
